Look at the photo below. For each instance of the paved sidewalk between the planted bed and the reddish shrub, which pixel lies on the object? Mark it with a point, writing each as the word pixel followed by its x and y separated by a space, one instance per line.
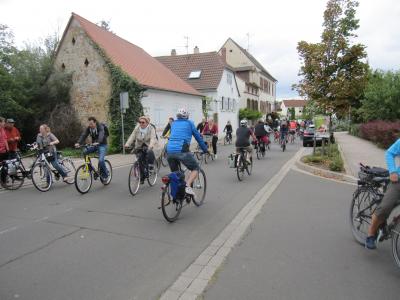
pixel 356 150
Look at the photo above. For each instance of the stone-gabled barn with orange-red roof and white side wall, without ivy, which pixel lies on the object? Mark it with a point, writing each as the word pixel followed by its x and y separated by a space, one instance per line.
pixel 91 83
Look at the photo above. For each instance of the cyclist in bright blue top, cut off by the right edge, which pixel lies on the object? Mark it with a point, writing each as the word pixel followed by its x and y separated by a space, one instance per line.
pixel 391 198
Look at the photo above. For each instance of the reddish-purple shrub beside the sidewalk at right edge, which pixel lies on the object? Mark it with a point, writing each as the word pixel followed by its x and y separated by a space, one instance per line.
pixel 382 133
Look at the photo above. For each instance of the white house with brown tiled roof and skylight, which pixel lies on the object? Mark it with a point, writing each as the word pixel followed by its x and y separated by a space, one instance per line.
pixel 213 78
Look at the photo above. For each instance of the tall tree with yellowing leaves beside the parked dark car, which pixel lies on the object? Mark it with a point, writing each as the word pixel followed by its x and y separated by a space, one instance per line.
pixel 334 70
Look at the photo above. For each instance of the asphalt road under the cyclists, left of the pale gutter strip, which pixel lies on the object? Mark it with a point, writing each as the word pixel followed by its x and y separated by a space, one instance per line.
pixel 109 245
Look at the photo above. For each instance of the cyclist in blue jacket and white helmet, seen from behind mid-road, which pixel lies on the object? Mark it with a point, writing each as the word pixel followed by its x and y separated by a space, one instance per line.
pixel 178 148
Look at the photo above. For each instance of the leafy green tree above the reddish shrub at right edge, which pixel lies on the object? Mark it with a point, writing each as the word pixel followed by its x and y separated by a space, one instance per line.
pixel 381 97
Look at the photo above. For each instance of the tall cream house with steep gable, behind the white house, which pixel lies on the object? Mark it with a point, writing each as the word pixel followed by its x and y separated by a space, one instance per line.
pixel 256 85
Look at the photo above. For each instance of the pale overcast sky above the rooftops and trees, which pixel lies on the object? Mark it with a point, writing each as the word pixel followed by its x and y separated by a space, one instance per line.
pixel 274 27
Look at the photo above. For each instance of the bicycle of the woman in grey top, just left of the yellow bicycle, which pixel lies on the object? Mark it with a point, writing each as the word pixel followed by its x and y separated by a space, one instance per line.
pixel 42 172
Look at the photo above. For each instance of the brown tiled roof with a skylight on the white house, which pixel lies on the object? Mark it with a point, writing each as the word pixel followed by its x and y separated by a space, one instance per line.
pixel 210 64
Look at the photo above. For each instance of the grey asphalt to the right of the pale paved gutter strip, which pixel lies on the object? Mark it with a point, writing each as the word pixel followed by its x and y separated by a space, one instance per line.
pixel 300 247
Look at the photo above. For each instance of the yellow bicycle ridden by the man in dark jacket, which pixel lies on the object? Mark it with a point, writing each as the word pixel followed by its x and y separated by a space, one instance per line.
pixel 85 173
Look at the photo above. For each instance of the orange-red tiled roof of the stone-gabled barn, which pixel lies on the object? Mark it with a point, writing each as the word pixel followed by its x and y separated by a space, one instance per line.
pixel 148 71
